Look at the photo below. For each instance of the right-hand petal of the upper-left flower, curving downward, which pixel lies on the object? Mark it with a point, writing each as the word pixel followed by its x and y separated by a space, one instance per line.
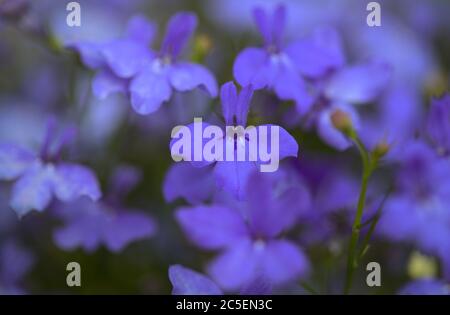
pixel 187 76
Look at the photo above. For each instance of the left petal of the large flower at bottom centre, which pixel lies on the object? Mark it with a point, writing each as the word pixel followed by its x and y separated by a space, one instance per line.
pixel 212 227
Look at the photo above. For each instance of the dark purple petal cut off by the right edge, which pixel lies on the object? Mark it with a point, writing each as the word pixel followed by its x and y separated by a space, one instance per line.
pixel 438 123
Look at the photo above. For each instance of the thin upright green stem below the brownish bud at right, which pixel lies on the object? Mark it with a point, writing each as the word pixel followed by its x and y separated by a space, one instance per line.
pixel 368 166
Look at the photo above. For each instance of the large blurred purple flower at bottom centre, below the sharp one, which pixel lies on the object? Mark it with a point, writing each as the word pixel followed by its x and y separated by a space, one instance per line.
pixel 249 239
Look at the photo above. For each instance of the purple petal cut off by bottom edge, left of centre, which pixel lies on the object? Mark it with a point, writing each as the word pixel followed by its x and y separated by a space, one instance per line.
pixel 189 282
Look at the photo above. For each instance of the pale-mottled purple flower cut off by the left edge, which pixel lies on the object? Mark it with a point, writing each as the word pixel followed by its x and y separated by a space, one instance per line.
pixel 41 176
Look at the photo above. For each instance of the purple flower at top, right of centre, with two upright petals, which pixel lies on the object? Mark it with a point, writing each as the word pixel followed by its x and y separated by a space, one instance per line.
pixel 273 66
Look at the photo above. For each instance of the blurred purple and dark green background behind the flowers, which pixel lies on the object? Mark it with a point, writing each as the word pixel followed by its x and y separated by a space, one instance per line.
pixel 40 77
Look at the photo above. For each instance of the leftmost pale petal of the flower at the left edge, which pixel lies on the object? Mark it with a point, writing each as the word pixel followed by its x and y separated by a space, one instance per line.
pixel 14 160
